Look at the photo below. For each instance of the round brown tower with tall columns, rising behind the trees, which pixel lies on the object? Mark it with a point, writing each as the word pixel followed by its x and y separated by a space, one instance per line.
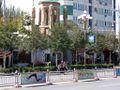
pixel 49 13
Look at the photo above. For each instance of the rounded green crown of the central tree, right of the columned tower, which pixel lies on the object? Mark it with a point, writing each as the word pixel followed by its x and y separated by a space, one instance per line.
pixel 59 40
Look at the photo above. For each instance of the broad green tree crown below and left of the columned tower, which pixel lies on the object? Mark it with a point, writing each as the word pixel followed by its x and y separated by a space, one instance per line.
pixel 32 41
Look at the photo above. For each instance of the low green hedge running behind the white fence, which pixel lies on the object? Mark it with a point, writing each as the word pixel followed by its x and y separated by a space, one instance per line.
pixel 54 68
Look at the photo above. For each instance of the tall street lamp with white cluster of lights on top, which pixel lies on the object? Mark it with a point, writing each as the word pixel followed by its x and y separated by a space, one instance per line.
pixel 85 17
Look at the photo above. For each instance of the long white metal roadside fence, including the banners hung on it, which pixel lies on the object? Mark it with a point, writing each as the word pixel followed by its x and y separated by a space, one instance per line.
pixel 54 76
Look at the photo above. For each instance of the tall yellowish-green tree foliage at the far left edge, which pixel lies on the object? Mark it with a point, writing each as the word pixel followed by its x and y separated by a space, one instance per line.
pixel 8 25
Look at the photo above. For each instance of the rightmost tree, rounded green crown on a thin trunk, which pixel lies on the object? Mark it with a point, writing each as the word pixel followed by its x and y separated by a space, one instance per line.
pixel 108 41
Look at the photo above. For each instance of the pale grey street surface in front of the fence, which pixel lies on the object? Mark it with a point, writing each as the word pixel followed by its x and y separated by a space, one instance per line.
pixel 108 84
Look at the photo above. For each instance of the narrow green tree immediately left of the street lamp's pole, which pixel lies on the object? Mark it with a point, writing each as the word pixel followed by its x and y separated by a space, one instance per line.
pixel 76 38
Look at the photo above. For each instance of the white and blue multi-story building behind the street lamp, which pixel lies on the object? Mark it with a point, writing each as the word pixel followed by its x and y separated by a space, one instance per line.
pixel 102 11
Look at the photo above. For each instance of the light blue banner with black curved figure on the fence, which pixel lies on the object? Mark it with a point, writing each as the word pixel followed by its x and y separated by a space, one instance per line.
pixel 32 78
